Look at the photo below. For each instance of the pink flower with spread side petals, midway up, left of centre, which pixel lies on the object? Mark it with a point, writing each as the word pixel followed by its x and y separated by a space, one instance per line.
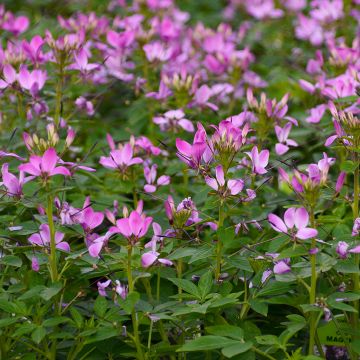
pixel 120 159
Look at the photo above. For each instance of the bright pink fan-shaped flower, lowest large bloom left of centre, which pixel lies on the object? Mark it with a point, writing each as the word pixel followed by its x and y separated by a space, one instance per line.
pixel 133 227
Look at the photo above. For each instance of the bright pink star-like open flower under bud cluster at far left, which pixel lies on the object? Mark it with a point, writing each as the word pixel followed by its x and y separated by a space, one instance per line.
pixel 44 166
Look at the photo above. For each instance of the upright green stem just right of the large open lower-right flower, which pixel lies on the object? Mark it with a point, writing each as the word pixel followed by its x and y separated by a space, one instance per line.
pixel 312 299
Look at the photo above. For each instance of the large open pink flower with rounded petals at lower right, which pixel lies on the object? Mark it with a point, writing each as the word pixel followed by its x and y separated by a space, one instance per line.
pixel 294 224
